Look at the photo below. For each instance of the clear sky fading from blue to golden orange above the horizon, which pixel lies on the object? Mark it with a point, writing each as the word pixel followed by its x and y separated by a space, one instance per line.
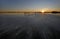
pixel 26 5
